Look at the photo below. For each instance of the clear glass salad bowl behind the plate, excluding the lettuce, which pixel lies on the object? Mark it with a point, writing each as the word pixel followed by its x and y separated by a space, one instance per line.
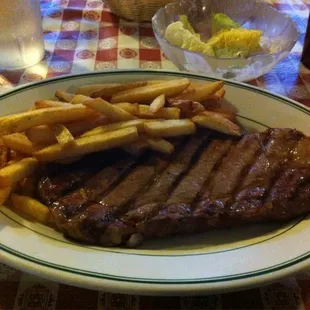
pixel 279 36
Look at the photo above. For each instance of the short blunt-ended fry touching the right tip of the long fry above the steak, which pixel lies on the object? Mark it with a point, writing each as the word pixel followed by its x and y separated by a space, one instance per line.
pixel 170 128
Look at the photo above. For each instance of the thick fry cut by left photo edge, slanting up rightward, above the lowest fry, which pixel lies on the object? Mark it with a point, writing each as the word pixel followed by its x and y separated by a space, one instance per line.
pixel 12 174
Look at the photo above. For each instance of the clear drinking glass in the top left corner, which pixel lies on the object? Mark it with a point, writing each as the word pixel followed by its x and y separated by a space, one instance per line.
pixel 21 34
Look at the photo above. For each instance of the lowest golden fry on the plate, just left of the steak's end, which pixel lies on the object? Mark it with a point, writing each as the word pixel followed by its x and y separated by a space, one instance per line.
pixel 31 207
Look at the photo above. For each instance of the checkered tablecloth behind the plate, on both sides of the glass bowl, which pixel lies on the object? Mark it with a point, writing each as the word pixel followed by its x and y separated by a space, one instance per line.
pixel 82 36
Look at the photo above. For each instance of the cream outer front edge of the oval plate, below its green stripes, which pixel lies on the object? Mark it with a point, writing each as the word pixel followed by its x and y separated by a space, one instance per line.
pixel 124 287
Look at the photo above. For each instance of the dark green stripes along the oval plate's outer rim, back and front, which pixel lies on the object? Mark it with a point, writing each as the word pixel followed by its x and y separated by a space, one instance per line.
pixel 76 271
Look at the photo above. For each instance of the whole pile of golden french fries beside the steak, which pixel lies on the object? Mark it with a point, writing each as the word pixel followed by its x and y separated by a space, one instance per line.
pixel 134 116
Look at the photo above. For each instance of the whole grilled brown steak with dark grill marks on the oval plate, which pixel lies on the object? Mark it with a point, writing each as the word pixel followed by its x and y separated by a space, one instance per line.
pixel 210 181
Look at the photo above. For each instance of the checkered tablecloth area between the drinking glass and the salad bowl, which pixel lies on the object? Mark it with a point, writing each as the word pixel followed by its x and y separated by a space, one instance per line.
pixel 82 36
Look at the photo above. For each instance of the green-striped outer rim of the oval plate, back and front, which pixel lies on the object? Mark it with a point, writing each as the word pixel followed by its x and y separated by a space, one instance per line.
pixel 300 263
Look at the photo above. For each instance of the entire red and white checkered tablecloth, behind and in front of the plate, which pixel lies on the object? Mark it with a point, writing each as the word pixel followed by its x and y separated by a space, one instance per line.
pixel 82 36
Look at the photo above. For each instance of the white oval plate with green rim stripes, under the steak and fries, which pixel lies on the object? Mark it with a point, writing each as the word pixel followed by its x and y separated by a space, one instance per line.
pixel 218 261
